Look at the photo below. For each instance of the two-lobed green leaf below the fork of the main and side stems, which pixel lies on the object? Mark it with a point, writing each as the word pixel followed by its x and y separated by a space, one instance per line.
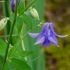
pixel 23 19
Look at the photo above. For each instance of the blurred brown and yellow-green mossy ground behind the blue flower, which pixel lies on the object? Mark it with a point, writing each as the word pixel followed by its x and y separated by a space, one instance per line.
pixel 58 12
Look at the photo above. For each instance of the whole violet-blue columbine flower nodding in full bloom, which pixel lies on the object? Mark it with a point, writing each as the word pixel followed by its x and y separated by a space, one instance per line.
pixel 47 35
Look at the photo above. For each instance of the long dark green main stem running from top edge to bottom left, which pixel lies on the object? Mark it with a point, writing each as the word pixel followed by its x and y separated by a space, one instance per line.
pixel 10 35
